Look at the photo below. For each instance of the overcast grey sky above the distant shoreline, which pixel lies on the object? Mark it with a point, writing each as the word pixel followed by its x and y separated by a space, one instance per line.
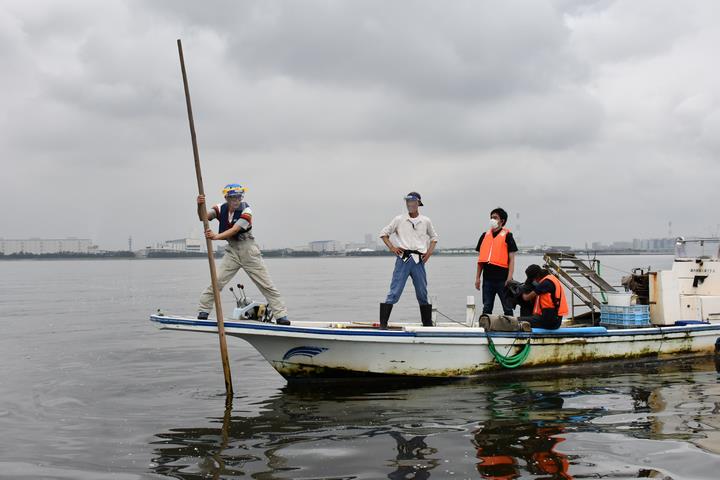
pixel 594 120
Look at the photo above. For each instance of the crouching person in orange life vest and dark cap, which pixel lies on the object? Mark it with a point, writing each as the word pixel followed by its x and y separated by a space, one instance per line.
pixel 549 297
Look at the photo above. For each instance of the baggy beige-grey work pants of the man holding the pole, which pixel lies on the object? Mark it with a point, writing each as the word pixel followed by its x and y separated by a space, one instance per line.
pixel 245 254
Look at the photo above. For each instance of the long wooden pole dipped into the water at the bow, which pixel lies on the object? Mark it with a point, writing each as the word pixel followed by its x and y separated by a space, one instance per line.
pixel 206 225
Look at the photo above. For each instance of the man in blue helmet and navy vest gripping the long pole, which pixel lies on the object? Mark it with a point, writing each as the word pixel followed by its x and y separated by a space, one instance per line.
pixel 235 218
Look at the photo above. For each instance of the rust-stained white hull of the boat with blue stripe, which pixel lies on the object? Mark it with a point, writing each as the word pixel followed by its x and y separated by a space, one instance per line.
pixel 314 351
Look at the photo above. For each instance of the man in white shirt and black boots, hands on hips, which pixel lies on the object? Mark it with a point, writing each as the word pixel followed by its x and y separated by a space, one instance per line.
pixel 414 242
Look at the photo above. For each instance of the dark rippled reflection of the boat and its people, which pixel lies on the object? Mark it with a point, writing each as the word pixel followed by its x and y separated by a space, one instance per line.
pixel 622 424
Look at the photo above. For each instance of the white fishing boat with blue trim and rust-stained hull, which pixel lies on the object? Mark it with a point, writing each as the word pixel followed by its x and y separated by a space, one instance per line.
pixel 684 314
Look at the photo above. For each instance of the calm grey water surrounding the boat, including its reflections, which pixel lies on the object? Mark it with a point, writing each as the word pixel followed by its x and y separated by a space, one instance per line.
pixel 89 389
